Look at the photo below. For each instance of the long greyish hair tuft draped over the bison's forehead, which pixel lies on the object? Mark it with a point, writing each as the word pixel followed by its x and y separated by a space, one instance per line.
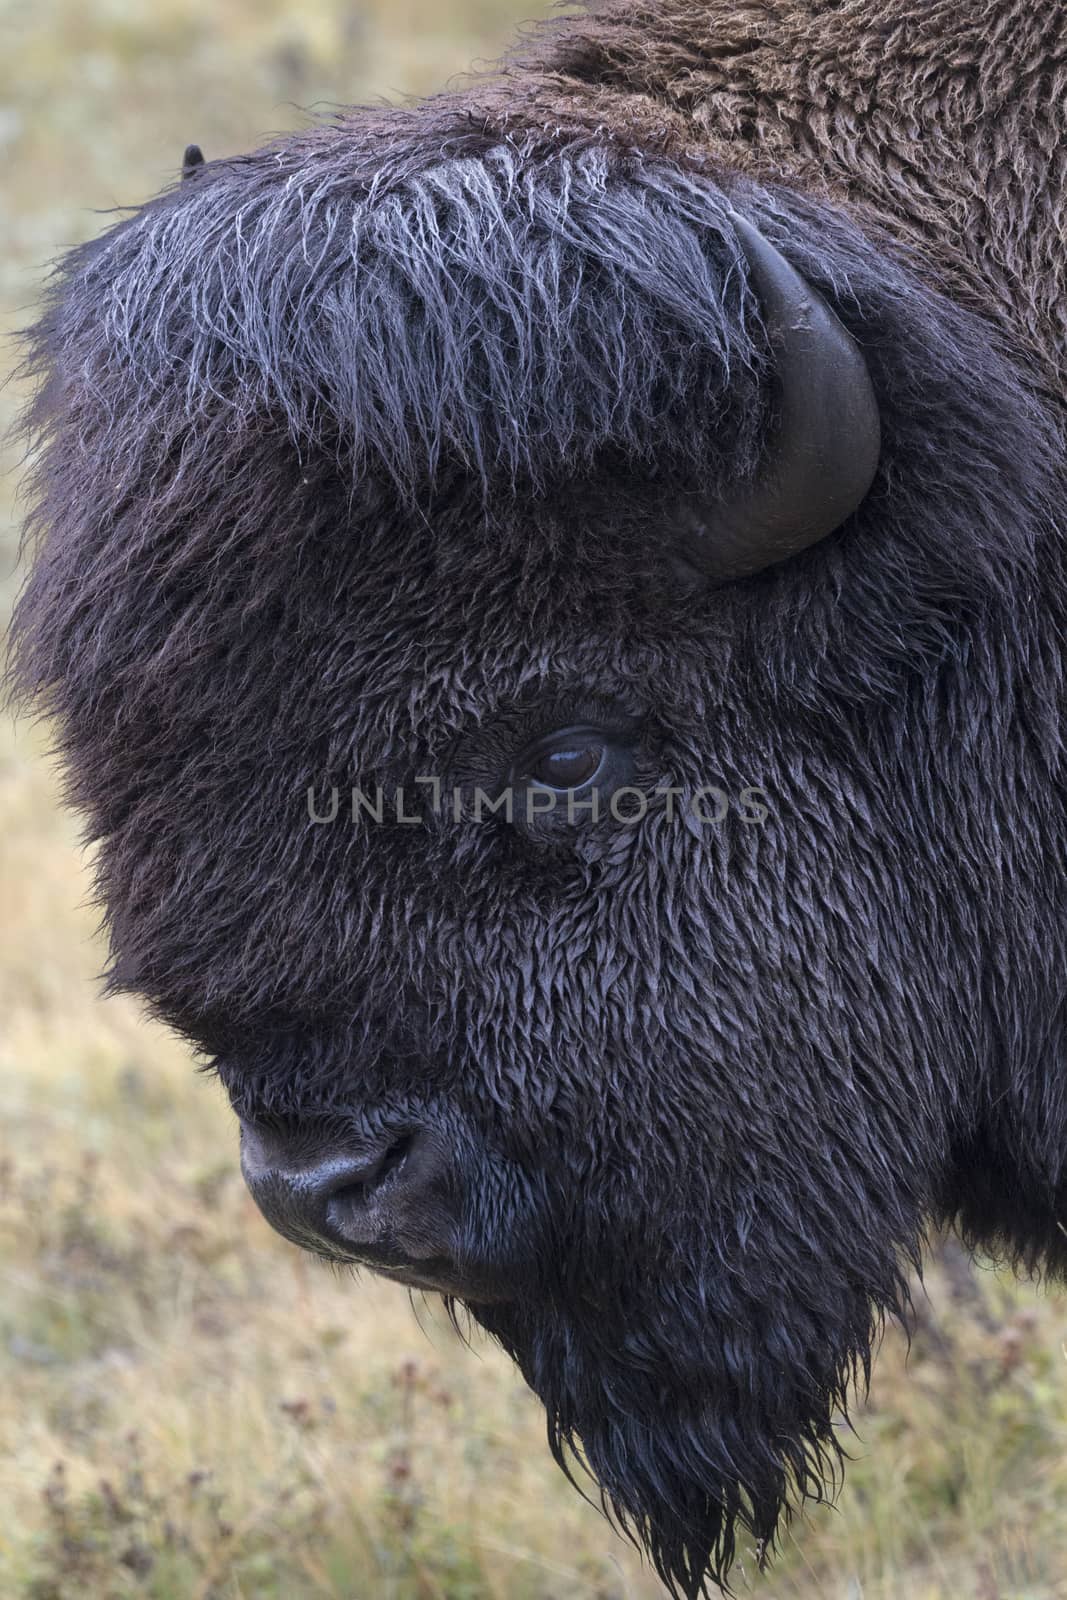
pixel 502 314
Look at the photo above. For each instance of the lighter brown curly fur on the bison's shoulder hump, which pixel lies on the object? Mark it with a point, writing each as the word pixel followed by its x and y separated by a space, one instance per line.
pixel 941 124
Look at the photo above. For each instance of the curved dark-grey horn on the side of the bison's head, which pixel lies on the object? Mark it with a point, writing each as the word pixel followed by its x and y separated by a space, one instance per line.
pixel 823 455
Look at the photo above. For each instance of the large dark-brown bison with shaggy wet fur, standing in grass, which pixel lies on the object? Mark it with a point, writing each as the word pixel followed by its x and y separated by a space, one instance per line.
pixel 553 601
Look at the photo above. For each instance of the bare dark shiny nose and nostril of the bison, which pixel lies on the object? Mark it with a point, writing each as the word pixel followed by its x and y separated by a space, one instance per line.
pixel 391 1206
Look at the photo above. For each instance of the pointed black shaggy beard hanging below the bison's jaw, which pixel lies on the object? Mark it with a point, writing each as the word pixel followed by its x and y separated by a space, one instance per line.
pixel 701 1412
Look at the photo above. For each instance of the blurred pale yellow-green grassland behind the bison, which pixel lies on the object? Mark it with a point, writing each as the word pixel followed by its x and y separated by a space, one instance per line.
pixel 190 1409
